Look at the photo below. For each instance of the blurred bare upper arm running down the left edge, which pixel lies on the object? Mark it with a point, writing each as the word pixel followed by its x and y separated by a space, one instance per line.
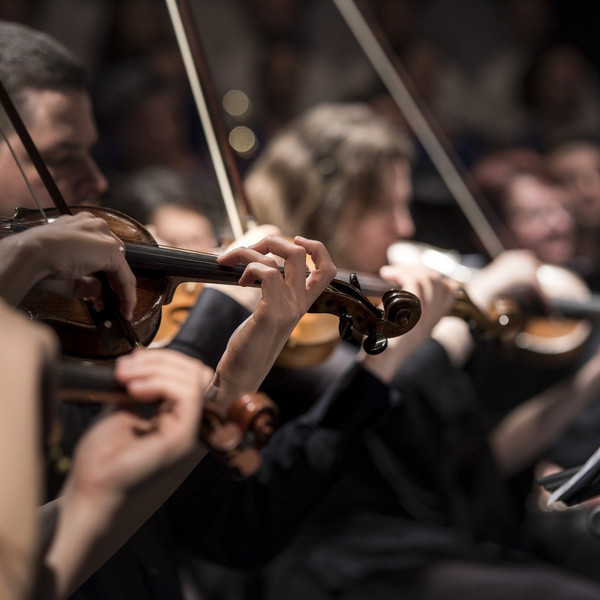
pixel 26 348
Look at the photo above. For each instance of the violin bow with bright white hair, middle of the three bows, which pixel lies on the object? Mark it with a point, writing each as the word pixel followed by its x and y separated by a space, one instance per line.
pixel 201 83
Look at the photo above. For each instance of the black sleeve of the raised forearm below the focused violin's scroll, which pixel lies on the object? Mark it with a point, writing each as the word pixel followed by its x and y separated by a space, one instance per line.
pixel 243 523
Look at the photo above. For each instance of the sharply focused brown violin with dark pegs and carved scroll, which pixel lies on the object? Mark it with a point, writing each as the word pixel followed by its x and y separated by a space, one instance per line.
pixel 160 270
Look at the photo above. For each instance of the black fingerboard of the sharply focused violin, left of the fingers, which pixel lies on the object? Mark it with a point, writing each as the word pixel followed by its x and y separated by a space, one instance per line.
pixel 182 265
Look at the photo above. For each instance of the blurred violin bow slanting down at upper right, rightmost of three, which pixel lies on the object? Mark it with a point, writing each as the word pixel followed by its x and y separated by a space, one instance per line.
pixel 372 40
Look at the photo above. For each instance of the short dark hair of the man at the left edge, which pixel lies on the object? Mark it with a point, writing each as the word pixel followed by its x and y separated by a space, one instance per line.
pixel 32 60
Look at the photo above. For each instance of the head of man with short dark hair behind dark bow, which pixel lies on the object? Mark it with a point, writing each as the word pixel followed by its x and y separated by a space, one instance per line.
pixel 49 87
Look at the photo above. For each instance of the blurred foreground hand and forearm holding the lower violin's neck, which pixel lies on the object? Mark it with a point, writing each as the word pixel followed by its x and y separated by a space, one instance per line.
pixel 127 465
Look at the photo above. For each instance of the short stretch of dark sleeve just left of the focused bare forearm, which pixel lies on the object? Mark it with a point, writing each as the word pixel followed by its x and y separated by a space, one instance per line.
pixel 210 324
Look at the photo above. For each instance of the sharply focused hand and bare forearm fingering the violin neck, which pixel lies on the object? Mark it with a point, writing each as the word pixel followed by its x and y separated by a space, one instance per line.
pixel 285 298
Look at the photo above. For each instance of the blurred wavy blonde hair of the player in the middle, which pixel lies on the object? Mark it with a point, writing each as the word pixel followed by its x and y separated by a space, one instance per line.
pixel 323 171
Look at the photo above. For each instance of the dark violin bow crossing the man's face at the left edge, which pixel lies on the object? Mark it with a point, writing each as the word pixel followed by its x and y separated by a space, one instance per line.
pixel 110 323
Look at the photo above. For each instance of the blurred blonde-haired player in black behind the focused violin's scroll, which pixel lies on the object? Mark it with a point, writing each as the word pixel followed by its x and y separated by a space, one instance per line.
pixel 388 528
